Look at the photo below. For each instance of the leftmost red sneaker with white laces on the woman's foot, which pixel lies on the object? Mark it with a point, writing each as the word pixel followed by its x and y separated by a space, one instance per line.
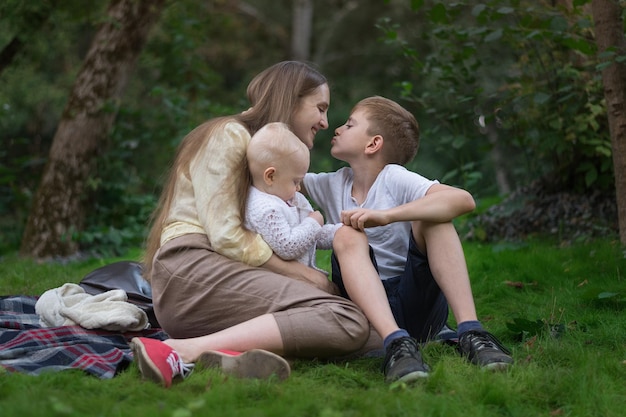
pixel 157 361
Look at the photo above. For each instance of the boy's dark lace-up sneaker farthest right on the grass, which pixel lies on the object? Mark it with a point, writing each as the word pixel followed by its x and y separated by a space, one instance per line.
pixel 483 349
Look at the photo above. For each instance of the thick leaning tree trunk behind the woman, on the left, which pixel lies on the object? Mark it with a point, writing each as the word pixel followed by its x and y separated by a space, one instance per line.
pixel 58 209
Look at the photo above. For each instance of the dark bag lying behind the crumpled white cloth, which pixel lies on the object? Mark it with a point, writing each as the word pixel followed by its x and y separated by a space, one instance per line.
pixel 127 276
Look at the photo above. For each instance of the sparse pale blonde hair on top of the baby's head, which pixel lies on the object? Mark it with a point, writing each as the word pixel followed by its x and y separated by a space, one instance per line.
pixel 275 144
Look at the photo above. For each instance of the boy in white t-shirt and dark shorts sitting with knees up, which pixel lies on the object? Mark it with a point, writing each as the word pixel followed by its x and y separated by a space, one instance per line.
pixel 407 223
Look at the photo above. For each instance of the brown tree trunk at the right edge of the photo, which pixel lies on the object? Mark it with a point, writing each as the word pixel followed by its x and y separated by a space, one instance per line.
pixel 609 32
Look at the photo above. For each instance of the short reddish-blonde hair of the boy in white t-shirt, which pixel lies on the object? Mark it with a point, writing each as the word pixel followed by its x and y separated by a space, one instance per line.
pixel 395 124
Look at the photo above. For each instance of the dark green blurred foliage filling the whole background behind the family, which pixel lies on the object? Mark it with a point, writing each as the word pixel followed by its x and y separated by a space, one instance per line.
pixel 515 76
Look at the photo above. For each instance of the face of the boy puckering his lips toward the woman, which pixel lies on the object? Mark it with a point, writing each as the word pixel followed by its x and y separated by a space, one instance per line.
pixel 351 138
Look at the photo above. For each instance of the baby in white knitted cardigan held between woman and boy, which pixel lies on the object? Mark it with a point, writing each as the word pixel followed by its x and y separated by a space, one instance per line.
pixel 278 161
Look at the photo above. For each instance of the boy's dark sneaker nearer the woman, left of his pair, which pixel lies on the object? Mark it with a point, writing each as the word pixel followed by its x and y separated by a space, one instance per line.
pixel 403 361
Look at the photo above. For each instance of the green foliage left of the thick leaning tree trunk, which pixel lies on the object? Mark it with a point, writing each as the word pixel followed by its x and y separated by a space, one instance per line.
pixel 34 90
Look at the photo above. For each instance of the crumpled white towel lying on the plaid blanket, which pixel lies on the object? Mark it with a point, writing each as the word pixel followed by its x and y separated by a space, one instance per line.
pixel 70 305
